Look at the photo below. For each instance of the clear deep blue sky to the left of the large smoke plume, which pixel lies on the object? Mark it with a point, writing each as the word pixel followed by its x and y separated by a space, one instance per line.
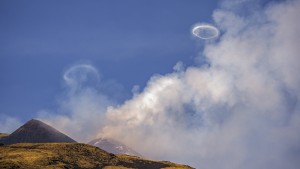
pixel 128 41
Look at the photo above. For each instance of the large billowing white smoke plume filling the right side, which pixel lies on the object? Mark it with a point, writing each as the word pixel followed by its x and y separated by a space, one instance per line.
pixel 239 111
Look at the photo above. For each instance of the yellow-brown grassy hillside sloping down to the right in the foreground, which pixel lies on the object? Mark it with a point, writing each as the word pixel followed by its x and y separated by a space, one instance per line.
pixel 71 155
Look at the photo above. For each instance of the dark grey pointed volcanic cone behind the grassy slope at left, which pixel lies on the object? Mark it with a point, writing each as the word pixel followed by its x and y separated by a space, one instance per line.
pixel 35 131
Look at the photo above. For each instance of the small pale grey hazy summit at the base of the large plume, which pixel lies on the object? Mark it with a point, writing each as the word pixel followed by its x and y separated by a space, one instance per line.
pixel 113 146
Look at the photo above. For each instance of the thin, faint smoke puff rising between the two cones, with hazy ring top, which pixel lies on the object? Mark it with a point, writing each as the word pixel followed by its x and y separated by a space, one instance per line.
pixel 81 108
